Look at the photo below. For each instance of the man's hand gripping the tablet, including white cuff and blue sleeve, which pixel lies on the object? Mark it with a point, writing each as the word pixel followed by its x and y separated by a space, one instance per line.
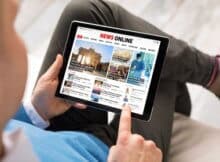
pixel 44 105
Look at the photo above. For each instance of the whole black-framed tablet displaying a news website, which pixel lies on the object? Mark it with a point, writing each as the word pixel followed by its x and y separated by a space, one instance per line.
pixel 107 68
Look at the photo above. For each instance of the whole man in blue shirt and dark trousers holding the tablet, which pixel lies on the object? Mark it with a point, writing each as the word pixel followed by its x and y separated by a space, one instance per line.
pixel 45 109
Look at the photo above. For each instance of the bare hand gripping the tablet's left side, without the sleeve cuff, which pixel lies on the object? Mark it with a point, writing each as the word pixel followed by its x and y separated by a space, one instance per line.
pixel 43 98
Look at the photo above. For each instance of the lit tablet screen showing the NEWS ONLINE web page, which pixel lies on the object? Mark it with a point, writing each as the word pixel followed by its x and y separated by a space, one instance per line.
pixel 110 68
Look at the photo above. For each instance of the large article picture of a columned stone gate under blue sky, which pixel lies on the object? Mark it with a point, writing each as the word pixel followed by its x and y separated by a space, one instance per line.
pixel 91 58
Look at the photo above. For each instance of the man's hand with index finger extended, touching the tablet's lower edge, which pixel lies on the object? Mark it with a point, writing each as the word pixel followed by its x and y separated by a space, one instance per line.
pixel 132 147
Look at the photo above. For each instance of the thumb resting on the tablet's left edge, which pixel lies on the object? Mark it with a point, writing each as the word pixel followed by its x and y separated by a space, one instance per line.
pixel 54 69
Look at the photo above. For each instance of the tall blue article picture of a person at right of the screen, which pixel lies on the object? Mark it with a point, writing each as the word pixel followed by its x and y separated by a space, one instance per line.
pixel 140 69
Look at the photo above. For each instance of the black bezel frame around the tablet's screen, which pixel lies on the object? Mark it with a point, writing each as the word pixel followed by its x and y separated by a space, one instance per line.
pixel 155 78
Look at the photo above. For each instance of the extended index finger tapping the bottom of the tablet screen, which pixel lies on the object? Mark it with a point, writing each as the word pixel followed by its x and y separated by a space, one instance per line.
pixel 125 121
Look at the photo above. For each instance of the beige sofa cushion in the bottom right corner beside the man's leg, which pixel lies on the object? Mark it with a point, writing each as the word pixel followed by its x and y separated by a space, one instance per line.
pixel 193 141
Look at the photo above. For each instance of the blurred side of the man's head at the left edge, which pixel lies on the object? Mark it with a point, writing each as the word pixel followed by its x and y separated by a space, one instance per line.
pixel 13 62
